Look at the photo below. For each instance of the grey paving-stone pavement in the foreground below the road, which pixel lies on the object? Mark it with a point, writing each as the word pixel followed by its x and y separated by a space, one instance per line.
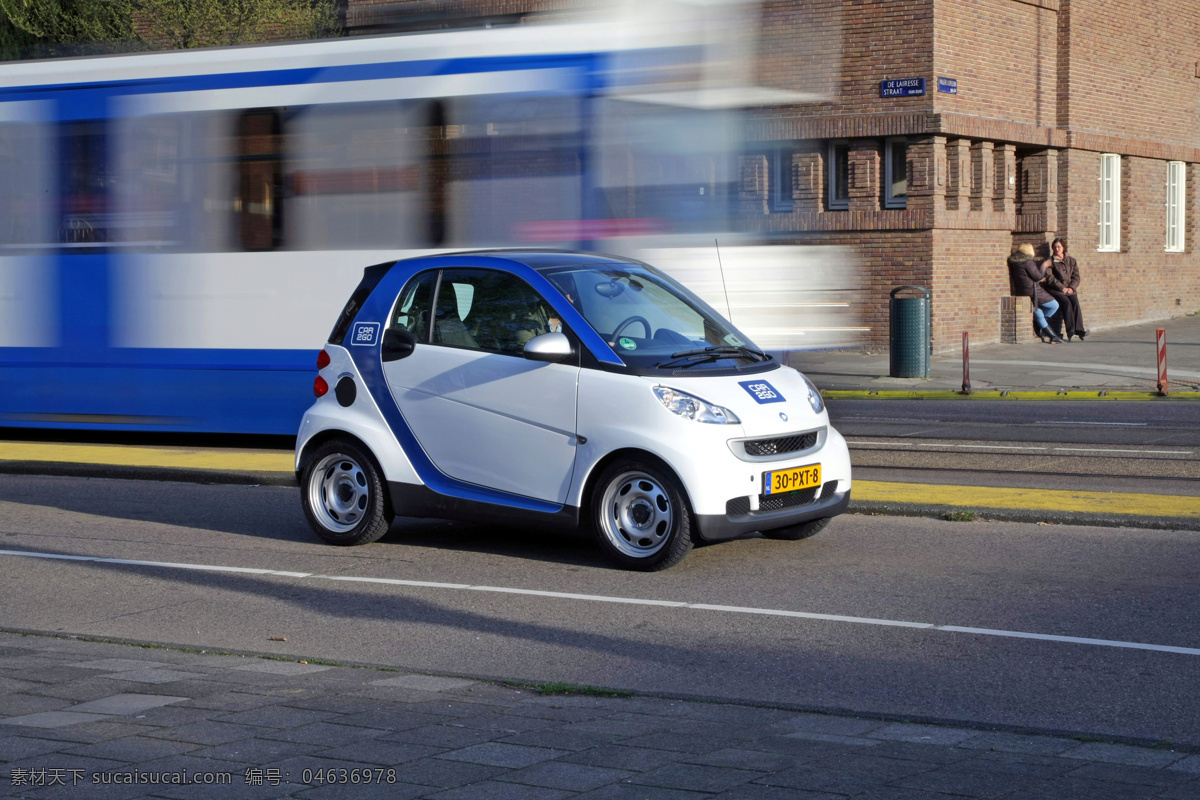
pixel 103 720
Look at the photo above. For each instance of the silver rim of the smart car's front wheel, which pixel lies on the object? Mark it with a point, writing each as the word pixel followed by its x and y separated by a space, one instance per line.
pixel 637 515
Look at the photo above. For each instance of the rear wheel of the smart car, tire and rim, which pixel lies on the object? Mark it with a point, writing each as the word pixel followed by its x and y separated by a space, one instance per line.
pixel 344 495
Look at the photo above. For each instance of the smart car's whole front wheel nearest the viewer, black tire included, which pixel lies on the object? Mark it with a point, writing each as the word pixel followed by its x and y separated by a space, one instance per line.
pixel 641 518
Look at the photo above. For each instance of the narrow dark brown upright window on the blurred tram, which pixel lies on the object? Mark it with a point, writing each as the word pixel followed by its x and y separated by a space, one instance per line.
pixel 259 203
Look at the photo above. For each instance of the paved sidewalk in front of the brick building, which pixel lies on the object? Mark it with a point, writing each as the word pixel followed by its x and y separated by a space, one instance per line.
pixel 1117 360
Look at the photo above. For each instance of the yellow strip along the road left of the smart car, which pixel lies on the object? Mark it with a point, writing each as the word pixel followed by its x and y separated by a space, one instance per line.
pixel 152 458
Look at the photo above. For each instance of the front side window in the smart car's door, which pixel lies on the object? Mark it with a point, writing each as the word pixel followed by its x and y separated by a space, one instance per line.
pixel 488 310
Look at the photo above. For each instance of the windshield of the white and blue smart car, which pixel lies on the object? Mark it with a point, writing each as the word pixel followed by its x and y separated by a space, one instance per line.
pixel 650 321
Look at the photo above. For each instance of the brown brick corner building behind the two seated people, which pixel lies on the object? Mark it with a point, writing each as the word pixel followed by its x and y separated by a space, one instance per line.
pixel 1069 118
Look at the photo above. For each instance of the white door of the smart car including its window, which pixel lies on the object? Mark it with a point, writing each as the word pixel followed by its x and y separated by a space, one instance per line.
pixel 479 410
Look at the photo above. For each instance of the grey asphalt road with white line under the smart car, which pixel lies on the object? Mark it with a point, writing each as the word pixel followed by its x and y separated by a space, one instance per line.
pixel 733 622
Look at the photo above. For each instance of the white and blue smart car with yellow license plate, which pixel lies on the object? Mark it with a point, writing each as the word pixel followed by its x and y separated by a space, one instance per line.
pixel 561 389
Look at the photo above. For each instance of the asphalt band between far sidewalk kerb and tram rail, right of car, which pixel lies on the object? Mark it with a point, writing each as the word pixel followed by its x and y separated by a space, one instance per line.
pixel 1102 423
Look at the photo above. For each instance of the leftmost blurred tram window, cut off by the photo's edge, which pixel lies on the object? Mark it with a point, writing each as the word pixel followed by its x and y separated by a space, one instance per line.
pixel 26 159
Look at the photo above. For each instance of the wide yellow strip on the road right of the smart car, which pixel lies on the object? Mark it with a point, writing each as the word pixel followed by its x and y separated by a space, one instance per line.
pixel 988 497
